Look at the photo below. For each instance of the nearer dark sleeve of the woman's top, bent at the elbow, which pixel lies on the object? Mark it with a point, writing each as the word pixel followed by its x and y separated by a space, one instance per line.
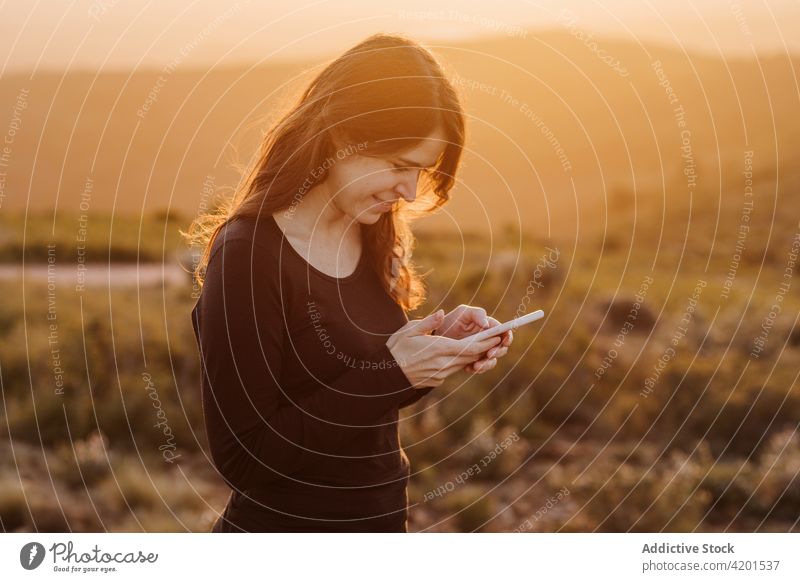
pixel 256 436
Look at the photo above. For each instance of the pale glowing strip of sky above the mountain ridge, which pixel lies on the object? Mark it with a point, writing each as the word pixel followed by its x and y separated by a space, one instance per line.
pixel 125 34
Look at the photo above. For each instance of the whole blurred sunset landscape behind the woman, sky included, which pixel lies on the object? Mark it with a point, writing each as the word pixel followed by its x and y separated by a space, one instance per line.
pixel 632 169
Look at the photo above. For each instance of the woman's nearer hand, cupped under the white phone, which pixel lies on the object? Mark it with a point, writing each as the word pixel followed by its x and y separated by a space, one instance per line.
pixel 426 359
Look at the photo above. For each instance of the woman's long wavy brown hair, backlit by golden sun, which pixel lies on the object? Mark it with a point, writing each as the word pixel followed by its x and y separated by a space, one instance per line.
pixel 385 94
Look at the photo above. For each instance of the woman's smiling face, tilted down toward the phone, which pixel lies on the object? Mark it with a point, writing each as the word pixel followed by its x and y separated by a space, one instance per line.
pixel 364 187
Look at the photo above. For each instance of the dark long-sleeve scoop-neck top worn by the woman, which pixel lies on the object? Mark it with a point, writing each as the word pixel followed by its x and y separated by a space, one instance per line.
pixel 300 392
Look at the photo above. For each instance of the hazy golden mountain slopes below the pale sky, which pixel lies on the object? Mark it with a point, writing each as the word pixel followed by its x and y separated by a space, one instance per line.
pixel 561 128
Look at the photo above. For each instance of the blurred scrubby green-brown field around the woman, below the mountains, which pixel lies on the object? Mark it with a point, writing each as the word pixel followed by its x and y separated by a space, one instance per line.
pixel 592 434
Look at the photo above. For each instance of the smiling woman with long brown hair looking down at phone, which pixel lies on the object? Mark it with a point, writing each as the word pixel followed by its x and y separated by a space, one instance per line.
pixel 306 349
